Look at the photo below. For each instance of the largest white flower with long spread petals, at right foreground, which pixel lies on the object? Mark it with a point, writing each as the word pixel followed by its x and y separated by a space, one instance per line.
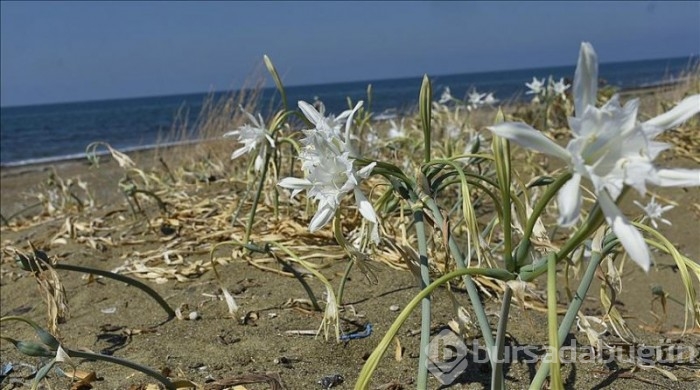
pixel 611 149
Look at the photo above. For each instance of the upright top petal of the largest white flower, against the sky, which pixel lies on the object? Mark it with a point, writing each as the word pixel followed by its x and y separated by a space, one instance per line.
pixel 585 79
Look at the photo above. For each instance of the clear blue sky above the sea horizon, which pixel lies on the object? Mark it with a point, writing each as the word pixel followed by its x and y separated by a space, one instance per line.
pixel 74 51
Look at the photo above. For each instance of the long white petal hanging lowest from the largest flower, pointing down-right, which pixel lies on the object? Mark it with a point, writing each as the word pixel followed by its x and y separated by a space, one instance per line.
pixel 629 236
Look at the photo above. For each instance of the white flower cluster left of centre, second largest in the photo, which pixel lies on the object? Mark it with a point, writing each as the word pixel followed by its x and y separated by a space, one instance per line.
pixel 329 170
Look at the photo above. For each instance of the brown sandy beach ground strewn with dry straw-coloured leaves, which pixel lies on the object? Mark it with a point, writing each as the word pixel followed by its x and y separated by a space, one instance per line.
pixel 169 249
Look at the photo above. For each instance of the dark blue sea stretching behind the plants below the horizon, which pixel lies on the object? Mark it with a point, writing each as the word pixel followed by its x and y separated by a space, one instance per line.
pixel 53 132
